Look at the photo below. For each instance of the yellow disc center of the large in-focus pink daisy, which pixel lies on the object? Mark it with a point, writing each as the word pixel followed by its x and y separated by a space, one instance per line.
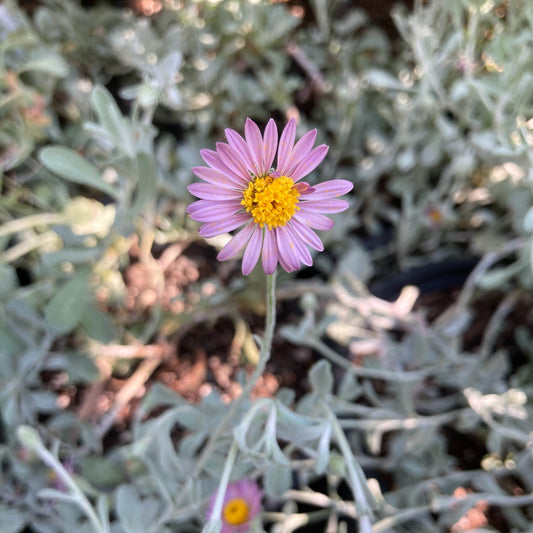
pixel 271 201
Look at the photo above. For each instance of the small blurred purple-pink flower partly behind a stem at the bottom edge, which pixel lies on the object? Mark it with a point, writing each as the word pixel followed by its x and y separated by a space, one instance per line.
pixel 242 504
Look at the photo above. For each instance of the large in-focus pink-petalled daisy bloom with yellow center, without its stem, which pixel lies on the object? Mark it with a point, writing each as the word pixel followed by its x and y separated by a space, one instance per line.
pixel 278 211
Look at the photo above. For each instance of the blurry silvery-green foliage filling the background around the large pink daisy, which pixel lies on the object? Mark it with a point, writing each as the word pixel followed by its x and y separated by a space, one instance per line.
pixel 102 115
